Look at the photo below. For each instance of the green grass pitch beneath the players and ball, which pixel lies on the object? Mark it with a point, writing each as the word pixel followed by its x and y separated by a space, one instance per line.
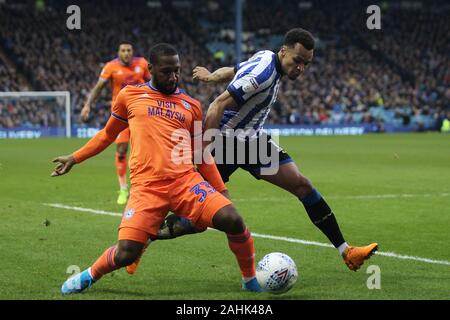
pixel 407 179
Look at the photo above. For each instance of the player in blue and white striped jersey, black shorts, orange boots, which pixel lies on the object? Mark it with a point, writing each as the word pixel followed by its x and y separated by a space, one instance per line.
pixel 239 113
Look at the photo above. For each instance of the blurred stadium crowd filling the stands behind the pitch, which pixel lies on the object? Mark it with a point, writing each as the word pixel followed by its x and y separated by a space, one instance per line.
pixel 397 76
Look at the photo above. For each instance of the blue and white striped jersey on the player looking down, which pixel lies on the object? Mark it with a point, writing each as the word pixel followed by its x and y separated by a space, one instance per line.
pixel 254 88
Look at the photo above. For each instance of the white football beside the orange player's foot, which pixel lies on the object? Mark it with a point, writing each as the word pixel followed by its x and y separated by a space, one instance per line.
pixel 276 273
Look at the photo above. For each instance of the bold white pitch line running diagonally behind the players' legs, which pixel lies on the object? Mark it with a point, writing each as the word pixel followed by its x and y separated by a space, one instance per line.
pixel 264 236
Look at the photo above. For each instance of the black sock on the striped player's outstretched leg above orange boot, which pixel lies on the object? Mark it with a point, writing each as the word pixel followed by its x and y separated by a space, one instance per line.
pixel 321 215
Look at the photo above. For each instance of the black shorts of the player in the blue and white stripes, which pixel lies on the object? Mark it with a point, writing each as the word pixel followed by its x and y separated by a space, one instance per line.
pixel 251 155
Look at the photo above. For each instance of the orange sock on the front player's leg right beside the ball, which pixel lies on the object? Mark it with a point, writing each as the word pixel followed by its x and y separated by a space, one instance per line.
pixel 244 250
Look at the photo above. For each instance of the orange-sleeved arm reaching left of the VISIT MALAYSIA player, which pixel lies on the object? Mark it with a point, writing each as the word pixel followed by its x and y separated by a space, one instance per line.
pixel 97 144
